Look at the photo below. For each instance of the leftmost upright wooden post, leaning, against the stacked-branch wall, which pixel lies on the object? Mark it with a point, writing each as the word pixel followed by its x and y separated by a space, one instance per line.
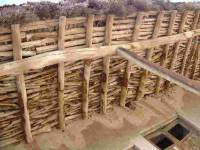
pixel 21 87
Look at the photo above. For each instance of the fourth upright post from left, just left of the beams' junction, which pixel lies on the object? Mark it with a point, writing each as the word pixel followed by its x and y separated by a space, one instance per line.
pixel 106 64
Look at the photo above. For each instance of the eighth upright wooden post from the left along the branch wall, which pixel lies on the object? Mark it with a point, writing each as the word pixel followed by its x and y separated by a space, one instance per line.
pixel 181 29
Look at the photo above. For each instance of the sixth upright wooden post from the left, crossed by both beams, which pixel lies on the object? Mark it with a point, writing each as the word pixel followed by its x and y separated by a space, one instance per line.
pixel 149 56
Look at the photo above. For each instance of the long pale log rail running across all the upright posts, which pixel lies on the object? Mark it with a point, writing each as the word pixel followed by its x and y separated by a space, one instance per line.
pixel 55 57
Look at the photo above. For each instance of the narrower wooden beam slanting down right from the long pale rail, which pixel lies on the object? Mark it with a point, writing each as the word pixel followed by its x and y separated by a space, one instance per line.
pixel 160 71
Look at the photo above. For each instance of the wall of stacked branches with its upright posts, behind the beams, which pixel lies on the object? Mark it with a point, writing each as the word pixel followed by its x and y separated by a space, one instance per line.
pixel 37 100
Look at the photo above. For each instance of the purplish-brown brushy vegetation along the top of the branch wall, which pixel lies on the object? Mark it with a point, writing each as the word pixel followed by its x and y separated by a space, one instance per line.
pixel 47 10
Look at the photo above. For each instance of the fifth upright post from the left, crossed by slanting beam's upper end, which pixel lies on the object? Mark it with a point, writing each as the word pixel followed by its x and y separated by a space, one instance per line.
pixel 127 74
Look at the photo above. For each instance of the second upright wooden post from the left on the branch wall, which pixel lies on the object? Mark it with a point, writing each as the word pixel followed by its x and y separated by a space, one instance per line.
pixel 61 72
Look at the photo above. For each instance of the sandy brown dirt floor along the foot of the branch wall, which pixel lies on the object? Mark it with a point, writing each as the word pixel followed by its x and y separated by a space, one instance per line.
pixel 117 129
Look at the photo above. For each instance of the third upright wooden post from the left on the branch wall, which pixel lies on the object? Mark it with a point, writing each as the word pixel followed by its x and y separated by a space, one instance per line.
pixel 87 67
